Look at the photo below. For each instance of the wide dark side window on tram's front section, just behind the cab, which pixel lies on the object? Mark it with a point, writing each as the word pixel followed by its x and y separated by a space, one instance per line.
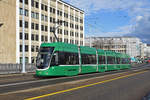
pixel 68 58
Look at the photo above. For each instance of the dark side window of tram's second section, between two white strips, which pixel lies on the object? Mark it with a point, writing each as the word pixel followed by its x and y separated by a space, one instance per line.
pixel 88 59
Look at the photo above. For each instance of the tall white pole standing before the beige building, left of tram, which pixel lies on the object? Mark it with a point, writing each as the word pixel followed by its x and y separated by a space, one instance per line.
pixel 23 38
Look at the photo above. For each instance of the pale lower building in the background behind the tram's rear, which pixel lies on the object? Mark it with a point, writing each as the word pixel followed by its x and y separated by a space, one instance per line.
pixel 128 45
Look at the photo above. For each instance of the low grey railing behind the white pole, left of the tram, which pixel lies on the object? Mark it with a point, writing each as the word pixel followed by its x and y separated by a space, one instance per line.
pixel 15 68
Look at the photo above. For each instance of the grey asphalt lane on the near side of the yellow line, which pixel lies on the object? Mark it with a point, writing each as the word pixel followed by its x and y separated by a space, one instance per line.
pixel 130 88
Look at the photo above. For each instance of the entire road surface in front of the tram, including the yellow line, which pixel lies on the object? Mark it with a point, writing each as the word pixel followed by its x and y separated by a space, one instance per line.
pixel 121 85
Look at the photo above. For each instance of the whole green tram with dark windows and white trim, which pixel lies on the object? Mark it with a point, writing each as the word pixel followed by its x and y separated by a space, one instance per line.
pixel 62 59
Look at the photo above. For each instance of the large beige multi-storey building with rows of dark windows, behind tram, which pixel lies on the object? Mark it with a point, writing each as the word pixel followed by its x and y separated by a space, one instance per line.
pixel 41 17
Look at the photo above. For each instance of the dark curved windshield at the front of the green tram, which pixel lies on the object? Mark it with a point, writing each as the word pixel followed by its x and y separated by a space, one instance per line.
pixel 43 57
